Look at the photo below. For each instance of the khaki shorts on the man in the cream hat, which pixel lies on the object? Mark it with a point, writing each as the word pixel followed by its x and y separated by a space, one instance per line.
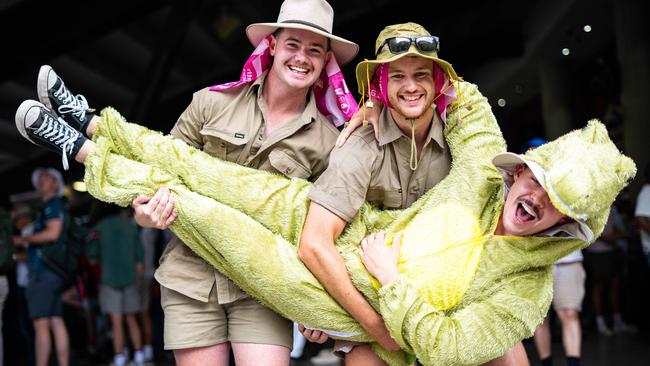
pixel 191 323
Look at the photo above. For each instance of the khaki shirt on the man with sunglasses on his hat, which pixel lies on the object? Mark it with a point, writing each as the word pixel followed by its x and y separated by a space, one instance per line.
pixel 379 173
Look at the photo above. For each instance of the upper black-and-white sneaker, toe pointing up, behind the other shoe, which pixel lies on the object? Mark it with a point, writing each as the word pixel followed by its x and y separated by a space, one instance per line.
pixel 53 93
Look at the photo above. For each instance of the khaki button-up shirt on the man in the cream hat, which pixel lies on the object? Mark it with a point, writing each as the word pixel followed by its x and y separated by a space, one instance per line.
pixel 230 125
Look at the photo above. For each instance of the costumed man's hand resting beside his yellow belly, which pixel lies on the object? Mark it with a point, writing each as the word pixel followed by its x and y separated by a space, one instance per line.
pixel 379 258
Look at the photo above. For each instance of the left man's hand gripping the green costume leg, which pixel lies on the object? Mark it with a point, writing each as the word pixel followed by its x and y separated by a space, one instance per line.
pixel 157 211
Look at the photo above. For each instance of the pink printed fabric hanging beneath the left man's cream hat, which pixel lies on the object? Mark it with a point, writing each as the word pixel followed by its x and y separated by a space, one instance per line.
pixel 333 98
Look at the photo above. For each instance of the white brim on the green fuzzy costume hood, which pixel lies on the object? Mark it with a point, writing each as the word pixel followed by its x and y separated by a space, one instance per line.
pixel 507 164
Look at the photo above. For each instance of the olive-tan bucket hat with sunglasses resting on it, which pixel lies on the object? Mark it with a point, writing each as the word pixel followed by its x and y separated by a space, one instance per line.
pixel 366 69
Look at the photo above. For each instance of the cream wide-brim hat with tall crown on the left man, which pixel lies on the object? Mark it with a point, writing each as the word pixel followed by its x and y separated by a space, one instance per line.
pixel 316 16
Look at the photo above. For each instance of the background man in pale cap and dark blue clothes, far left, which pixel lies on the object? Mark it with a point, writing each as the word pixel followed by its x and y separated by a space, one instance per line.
pixel 43 293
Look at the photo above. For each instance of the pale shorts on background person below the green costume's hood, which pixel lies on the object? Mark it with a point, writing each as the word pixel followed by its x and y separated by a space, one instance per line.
pixel 568 286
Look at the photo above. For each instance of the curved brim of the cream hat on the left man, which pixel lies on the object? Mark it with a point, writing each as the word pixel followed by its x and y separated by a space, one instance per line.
pixel 343 50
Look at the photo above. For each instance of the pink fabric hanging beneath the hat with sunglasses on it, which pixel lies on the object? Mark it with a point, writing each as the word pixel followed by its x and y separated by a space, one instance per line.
pixel 445 92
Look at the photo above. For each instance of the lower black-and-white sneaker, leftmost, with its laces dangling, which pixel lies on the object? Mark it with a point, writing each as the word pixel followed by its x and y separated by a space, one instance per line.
pixel 42 127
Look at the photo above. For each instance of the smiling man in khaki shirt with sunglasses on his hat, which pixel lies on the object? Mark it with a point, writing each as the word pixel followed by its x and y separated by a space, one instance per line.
pixel 409 156
